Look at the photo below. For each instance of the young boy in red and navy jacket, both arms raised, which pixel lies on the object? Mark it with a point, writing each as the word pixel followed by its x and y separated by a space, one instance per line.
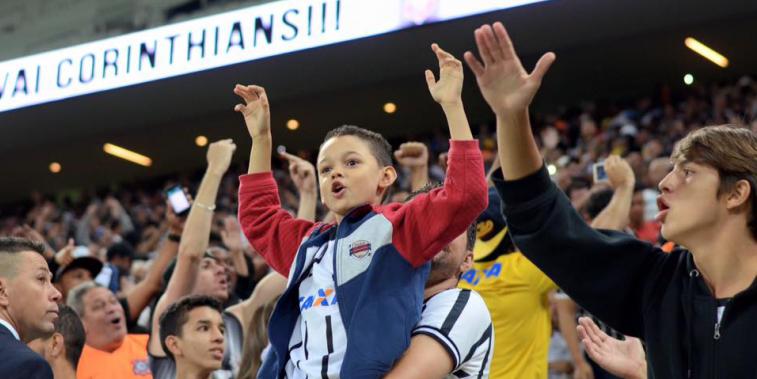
pixel 356 286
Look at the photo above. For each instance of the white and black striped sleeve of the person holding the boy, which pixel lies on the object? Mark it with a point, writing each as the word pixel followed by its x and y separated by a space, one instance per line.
pixel 459 320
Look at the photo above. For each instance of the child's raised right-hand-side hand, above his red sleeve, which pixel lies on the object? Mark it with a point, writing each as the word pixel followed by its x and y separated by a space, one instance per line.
pixel 449 87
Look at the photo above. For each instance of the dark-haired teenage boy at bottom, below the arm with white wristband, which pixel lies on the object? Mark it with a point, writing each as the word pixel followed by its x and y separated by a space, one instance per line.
pixel 192 335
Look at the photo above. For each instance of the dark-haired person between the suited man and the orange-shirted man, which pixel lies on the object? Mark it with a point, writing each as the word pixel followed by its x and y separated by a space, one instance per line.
pixel 63 348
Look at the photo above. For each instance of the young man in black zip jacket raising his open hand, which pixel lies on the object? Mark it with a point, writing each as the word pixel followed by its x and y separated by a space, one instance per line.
pixel 696 309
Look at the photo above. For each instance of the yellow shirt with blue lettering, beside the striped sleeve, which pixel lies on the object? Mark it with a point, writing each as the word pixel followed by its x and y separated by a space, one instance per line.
pixel 516 293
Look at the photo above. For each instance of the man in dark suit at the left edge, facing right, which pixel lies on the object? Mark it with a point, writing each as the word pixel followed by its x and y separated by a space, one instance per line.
pixel 28 308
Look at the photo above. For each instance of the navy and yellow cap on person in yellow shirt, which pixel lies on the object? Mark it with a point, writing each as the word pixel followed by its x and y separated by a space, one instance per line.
pixel 492 239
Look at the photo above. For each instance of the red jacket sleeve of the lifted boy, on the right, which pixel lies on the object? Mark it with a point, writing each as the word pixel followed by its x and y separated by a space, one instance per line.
pixel 430 221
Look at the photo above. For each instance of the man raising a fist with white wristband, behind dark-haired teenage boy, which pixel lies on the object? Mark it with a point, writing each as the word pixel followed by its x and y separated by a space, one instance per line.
pixel 198 272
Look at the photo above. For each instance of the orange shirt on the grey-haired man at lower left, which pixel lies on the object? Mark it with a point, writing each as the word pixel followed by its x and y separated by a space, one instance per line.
pixel 129 361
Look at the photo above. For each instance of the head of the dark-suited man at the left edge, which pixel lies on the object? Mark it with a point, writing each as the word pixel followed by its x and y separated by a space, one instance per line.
pixel 28 299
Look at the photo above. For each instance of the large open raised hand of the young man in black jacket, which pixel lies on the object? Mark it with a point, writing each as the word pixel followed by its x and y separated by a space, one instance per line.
pixel 505 85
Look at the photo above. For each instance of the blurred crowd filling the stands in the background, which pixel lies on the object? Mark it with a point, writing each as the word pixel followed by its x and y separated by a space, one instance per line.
pixel 125 228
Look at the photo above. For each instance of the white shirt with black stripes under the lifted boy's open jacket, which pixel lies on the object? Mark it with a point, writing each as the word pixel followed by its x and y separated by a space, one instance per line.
pixel 319 340
